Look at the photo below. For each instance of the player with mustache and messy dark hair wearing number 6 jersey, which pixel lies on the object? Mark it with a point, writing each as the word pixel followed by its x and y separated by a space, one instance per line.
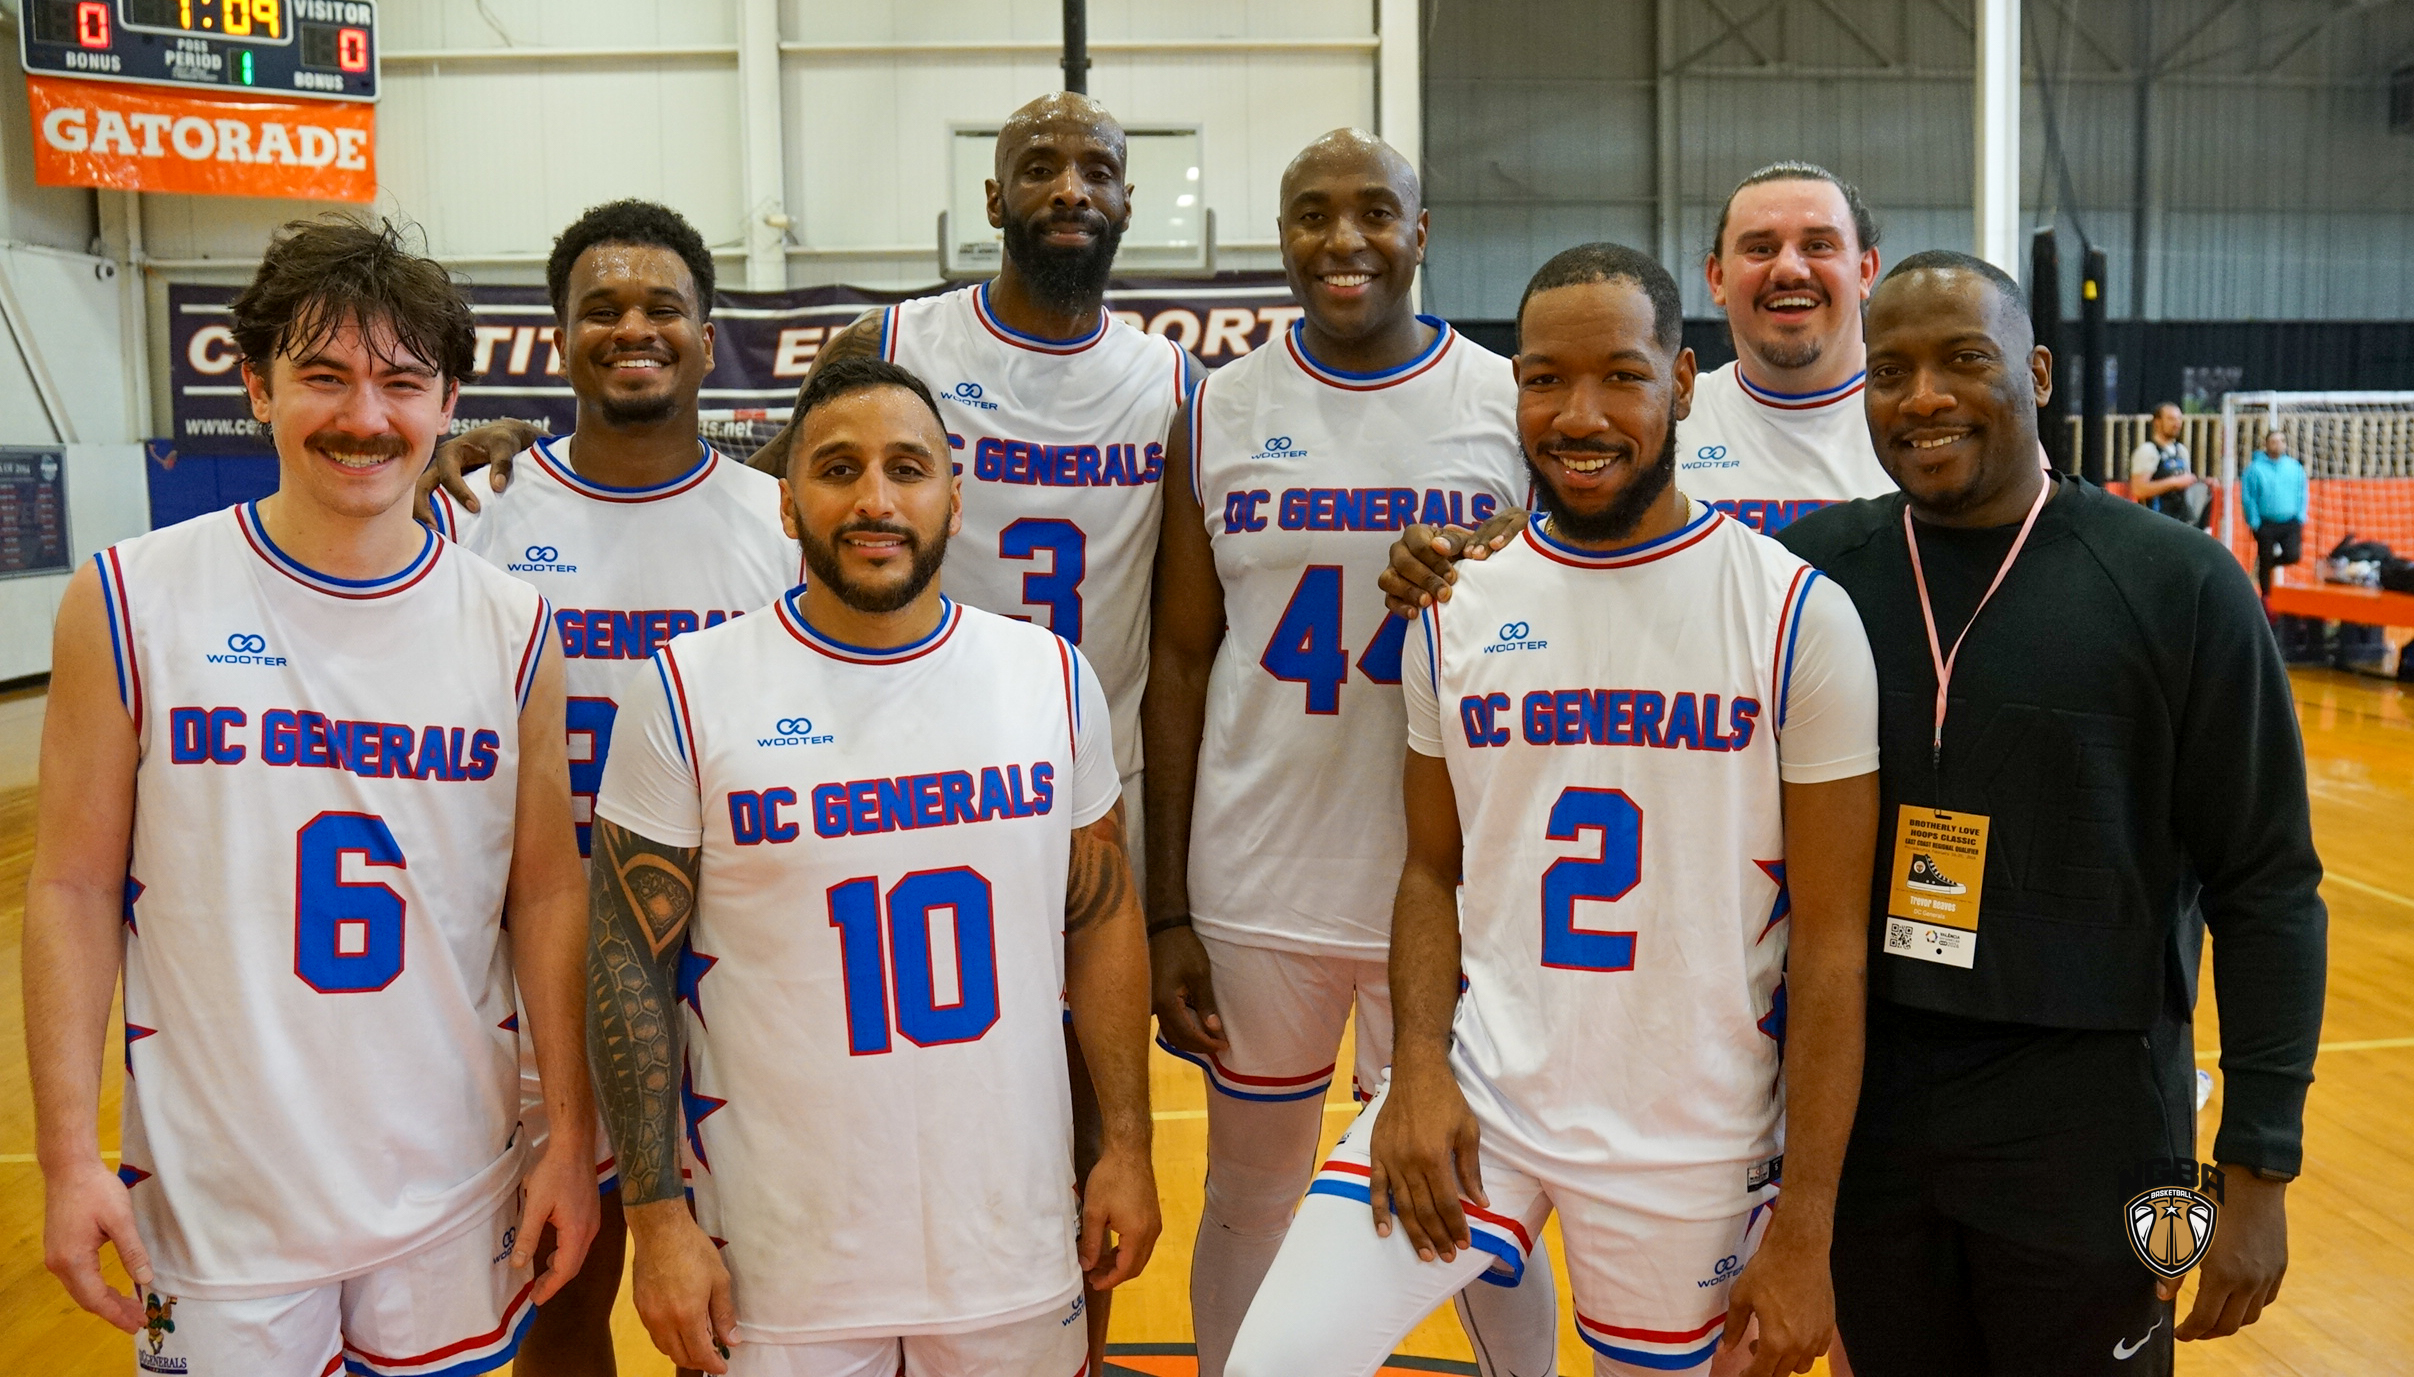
pixel 301 762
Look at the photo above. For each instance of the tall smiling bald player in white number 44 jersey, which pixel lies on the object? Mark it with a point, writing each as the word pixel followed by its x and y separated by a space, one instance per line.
pixel 1273 709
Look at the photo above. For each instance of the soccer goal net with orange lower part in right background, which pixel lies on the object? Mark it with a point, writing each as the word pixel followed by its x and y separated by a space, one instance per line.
pixel 2360 467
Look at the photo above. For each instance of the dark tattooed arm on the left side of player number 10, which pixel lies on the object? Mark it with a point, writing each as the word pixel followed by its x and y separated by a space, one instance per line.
pixel 641 897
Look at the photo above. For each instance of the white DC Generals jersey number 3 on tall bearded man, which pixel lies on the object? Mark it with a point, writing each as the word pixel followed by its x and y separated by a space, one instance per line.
pixel 1061 446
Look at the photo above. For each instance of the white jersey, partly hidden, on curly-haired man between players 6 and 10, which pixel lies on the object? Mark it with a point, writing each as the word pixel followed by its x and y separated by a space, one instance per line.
pixel 629 569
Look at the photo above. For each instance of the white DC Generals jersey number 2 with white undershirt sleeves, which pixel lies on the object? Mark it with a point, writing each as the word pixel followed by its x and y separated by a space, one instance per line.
pixel 1616 728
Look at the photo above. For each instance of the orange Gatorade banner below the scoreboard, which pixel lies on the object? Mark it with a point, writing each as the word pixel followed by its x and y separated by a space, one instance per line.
pixel 132 139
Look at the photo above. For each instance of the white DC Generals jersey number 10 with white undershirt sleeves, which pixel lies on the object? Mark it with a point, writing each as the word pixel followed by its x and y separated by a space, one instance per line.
pixel 875 1088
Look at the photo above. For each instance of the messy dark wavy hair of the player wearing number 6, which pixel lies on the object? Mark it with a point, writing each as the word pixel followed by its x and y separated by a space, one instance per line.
pixel 337 272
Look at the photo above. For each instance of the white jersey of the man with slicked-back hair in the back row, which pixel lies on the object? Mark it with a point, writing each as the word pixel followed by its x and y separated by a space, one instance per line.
pixel 1768 458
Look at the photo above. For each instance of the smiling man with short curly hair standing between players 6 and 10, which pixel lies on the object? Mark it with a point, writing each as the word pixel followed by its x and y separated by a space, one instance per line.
pixel 636 533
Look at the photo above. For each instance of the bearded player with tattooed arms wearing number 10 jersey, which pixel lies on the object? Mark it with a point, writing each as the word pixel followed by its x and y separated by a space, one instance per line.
pixel 870 1069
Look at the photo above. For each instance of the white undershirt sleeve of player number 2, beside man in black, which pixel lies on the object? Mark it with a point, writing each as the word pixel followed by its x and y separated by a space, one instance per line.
pixel 1829 692
